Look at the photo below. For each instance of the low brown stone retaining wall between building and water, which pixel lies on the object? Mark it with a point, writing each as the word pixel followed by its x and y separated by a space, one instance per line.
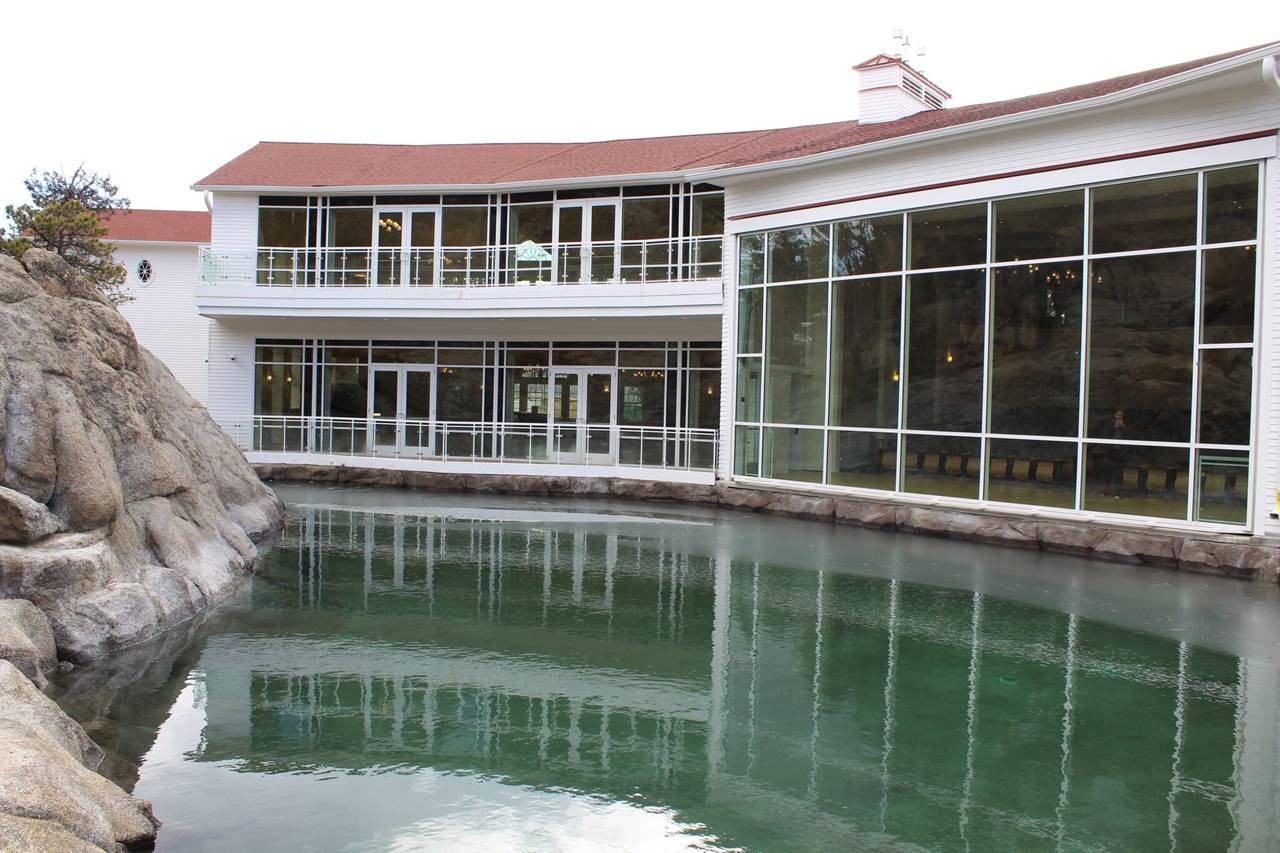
pixel 1238 556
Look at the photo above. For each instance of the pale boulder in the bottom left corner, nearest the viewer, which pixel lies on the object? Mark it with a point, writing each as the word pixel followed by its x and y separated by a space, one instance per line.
pixel 49 791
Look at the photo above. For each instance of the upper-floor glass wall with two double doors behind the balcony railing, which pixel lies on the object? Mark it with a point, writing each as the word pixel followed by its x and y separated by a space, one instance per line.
pixel 669 232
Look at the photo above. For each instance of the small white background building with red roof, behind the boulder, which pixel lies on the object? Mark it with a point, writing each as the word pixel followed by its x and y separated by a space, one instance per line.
pixel 159 250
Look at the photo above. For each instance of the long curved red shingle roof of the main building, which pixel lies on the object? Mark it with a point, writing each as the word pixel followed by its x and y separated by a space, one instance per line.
pixel 310 165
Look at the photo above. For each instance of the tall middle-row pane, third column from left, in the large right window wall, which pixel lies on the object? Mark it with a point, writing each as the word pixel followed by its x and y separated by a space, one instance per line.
pixel 865 353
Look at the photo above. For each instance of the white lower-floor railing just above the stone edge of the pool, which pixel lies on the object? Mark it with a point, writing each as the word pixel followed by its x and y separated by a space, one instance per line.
pixel 669 448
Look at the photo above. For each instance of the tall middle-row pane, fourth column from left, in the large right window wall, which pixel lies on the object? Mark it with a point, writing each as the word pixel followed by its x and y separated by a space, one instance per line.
pixel 945 353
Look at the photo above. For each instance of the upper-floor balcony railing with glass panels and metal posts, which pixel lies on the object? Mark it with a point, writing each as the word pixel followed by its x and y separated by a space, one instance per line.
pixel 609 263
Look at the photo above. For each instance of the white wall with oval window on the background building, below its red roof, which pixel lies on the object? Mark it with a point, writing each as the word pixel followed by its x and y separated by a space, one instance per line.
pixel 163 312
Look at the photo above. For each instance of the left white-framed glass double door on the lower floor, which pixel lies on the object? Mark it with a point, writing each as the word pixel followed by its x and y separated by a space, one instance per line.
pixel 403 409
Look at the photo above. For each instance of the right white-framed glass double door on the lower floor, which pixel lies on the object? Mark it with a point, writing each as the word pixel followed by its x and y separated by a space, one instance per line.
pixel 582 423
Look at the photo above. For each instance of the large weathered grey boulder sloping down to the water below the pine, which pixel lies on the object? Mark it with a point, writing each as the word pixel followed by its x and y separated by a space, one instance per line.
pixel 125 509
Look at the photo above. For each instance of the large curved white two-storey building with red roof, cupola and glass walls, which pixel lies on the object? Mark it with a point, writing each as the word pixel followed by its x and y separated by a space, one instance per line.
pixel 1062 305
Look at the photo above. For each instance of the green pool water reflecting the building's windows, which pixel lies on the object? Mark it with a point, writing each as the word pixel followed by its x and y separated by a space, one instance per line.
pixel 472 673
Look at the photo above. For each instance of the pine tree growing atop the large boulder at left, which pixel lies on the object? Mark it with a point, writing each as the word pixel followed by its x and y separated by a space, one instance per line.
pixel 67 216
